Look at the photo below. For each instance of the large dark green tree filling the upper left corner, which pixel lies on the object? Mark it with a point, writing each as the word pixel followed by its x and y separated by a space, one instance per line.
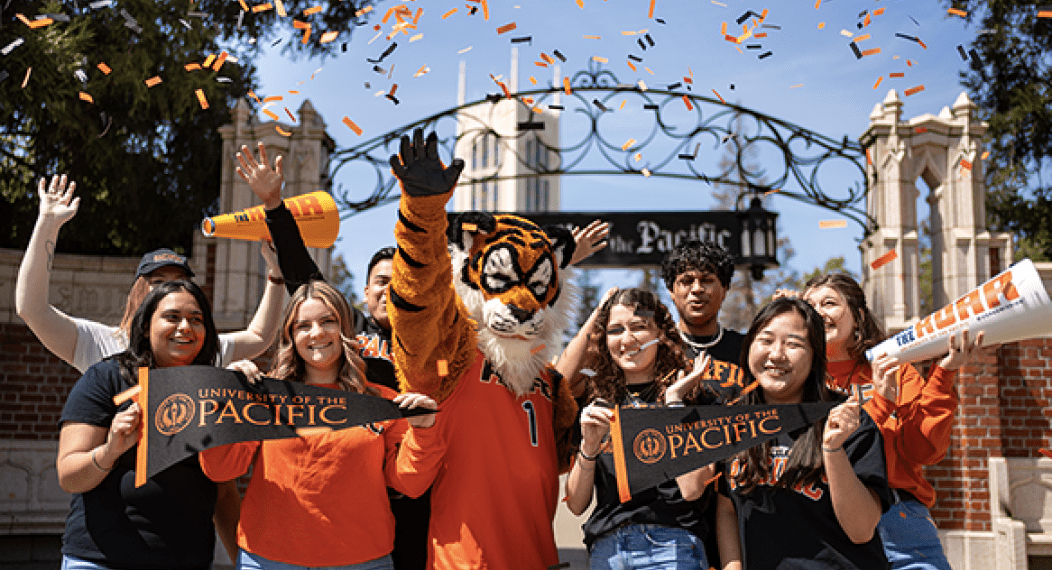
pixel 147 159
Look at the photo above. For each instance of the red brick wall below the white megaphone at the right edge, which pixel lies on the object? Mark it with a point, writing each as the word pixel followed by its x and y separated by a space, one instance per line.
pixel 1004 413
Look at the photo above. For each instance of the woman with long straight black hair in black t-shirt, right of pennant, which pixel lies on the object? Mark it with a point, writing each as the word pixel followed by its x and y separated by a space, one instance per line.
pixel 810 499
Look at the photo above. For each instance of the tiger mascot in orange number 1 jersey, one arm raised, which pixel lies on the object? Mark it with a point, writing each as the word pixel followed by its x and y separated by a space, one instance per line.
pixel 475 320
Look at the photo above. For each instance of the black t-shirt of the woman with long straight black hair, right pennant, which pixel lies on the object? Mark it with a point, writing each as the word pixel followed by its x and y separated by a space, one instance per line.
pixel 791 530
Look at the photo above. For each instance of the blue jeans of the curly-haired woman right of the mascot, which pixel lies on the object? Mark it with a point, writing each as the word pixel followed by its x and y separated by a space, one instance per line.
pixel 649 547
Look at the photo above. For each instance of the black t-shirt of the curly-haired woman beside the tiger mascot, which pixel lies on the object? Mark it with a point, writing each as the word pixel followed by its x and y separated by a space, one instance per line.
pixel 661 505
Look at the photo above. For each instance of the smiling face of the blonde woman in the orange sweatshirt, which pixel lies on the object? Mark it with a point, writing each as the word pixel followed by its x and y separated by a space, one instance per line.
pixel 316 334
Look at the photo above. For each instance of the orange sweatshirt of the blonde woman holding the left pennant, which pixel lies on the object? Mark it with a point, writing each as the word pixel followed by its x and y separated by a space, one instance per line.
pixel 322 500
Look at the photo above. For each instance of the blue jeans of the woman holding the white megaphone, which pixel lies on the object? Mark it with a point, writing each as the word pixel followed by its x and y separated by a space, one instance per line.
pixel 911 538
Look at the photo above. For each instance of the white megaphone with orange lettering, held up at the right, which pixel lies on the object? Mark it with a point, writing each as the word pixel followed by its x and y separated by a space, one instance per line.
pixel 1009 308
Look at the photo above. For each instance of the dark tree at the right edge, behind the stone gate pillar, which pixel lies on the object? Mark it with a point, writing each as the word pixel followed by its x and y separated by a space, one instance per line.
pixel 1010 83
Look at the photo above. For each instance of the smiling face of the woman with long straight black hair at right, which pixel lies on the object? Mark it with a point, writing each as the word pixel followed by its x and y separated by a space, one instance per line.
pixel 781 357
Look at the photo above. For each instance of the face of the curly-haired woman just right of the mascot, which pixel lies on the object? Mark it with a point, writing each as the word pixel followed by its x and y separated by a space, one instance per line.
pixel 626 334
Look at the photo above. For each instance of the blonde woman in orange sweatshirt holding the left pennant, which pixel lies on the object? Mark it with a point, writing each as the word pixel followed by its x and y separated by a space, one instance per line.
pixel 321 500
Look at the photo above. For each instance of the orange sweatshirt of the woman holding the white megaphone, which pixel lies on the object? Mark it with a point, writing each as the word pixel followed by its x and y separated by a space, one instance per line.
pixel 916 430
